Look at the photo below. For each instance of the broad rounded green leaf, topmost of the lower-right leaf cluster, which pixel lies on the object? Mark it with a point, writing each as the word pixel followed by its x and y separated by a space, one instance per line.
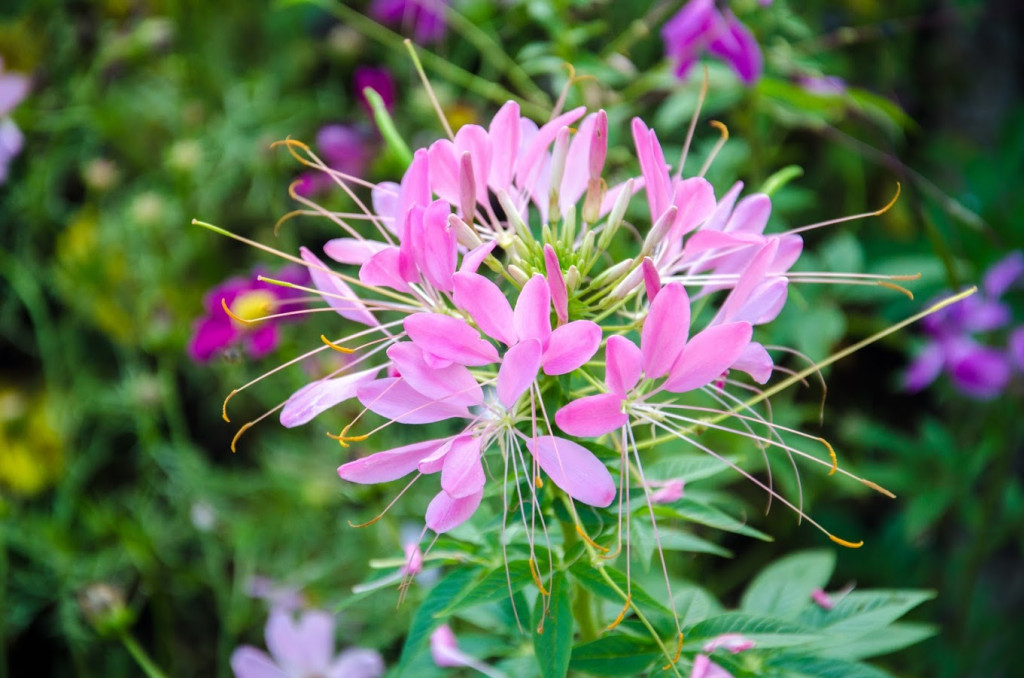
pixel 784 588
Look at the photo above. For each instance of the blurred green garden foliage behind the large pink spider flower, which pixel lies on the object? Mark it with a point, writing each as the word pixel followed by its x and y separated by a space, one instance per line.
pixel 116 470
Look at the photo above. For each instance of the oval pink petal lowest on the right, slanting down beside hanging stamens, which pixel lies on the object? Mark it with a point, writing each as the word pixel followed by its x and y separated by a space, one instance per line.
pixel 575 470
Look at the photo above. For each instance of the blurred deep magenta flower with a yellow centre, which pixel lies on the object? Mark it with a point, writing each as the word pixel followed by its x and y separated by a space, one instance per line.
pixel 247 299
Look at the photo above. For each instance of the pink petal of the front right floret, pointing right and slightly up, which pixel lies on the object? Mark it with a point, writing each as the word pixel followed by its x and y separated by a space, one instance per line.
pixel 709 355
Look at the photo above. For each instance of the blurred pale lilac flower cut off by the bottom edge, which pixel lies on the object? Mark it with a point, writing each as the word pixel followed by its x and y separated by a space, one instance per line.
pixel 305 649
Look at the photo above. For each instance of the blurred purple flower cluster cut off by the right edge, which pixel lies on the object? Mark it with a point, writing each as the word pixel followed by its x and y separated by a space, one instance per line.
pixel 977 370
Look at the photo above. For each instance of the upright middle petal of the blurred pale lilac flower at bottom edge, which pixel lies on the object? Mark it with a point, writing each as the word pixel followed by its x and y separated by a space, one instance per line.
pixel 305 647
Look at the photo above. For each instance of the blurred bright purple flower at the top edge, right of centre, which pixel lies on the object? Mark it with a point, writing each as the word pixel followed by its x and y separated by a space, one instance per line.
pixel 699 27
